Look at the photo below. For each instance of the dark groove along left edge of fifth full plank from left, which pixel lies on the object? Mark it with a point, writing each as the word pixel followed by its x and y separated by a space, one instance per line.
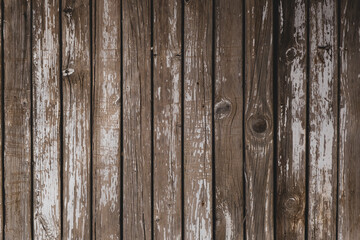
pixel 121 126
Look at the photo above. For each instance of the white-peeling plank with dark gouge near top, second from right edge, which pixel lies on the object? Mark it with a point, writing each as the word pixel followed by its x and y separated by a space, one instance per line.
pixel 322 120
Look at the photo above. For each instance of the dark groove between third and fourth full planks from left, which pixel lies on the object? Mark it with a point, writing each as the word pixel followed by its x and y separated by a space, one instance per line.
pixel 91 120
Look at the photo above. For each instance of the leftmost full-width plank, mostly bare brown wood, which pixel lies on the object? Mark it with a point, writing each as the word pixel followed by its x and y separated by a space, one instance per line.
pixel 17 91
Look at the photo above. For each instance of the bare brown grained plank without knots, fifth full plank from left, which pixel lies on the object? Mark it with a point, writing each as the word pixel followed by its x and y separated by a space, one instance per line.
pixel 137 119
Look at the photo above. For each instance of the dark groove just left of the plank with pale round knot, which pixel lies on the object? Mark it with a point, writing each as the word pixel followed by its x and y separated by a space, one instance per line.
pixel 213 78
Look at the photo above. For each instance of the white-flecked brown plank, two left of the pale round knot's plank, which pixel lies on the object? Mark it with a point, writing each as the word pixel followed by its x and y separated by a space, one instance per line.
pixel 167 119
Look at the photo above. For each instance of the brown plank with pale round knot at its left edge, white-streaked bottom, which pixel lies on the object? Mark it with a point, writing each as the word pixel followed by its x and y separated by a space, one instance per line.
pixel 229 119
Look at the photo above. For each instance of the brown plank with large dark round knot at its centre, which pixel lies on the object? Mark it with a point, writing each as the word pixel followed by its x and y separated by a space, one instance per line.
pixel 259 119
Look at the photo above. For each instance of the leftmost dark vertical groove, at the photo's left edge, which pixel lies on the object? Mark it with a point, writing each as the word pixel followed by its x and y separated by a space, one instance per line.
pixel 3 116
